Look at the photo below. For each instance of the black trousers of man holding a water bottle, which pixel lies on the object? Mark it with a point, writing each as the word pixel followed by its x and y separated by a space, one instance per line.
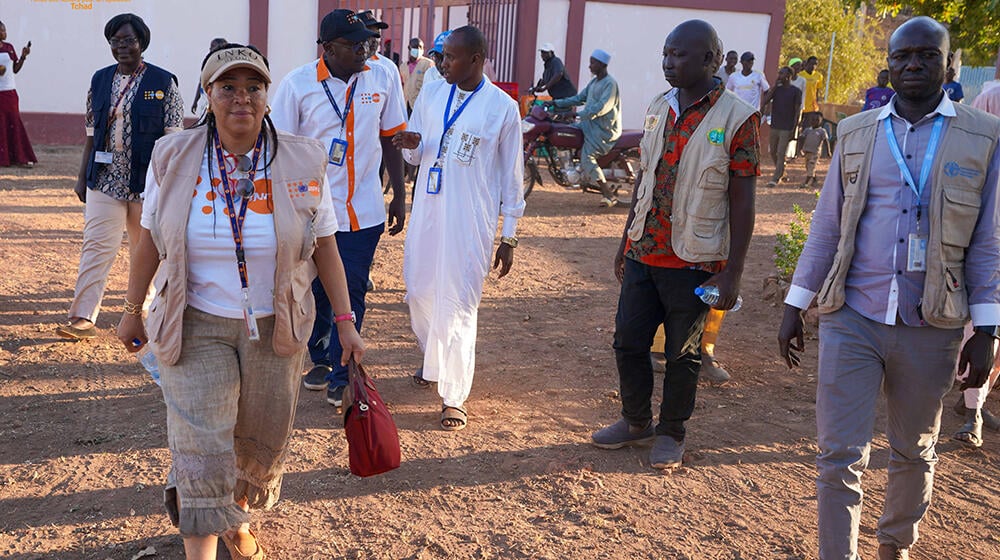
pixel 652 296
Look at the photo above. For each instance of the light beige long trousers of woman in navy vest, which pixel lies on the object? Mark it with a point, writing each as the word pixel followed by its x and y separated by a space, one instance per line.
pixel 104 220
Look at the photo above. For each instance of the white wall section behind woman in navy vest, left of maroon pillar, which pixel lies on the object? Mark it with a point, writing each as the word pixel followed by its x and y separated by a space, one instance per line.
pixel 68 46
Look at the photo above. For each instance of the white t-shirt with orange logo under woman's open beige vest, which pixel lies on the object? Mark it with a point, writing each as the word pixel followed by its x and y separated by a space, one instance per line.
pixel 213 284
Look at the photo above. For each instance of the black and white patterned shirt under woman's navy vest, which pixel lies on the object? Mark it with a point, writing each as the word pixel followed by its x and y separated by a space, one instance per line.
pixel 113 180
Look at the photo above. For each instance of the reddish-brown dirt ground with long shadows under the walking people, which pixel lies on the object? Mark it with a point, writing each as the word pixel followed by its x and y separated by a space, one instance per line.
pixel 82 435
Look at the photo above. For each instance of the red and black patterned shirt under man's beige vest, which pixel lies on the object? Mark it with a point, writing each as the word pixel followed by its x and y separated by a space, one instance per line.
pixel 654 248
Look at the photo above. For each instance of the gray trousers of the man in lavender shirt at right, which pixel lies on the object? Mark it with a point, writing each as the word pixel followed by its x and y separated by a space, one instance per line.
pixel 915 368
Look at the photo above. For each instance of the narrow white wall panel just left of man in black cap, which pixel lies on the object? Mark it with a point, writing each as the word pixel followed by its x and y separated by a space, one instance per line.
pixel 292 29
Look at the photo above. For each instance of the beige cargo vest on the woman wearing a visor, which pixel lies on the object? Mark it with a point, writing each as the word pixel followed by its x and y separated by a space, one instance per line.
pixel 176 163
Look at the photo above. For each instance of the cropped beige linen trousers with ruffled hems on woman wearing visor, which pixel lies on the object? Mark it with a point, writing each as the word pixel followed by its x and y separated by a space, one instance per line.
pixel 230 409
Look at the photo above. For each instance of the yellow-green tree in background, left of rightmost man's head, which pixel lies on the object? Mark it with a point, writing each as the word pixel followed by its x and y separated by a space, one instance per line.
pixel 809 26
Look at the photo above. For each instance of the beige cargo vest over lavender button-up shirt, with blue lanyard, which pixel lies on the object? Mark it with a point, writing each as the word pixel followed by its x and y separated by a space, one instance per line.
pixel 956 185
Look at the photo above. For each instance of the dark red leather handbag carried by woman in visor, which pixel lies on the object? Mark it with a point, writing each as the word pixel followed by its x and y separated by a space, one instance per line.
pixel 372 439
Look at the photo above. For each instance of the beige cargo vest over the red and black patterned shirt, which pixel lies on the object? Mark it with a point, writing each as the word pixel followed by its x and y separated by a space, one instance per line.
pixel 700 215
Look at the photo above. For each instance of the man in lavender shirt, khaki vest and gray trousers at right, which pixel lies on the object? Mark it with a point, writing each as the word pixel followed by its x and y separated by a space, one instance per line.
pixel 903 249
